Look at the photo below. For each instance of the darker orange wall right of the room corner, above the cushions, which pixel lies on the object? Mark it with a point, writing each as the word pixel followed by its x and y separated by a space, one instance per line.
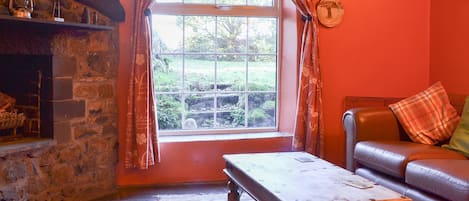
pixel 449 54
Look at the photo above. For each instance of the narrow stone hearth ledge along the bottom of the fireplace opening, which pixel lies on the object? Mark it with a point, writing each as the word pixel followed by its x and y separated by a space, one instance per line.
pixel 24 145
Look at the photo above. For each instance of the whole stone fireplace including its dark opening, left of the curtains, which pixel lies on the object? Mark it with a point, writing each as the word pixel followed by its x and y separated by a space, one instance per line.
pixel 64 81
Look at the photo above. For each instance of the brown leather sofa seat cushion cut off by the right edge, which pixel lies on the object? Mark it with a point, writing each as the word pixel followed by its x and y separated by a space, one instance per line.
pixel 444 177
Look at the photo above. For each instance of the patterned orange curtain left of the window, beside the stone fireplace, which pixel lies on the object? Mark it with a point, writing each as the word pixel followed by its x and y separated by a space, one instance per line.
pixel 141 139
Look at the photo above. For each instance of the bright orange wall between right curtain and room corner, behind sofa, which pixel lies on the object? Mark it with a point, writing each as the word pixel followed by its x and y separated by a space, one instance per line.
pixel 380 49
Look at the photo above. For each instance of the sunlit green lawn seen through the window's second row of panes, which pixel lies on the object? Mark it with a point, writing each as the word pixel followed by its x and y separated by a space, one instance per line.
pixel 261 75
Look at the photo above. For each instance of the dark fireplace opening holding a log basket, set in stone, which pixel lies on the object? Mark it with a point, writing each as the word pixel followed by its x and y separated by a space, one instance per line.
pixel 25 91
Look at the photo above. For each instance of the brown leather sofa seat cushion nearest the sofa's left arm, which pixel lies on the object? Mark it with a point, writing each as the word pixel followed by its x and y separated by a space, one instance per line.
pixel 391 157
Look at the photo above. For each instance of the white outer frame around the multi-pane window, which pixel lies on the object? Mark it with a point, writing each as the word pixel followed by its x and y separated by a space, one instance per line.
pixel 234 11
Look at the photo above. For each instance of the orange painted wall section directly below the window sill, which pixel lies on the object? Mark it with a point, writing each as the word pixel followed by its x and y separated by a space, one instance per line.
pixel 189 162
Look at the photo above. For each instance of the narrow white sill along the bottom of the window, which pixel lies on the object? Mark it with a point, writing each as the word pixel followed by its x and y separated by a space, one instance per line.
pixel 219 137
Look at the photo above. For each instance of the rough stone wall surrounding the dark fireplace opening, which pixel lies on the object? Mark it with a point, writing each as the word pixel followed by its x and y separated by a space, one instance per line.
pixel 82 164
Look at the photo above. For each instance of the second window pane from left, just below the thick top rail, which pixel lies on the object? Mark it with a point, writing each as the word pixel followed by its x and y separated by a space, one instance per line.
pixel 200 34
